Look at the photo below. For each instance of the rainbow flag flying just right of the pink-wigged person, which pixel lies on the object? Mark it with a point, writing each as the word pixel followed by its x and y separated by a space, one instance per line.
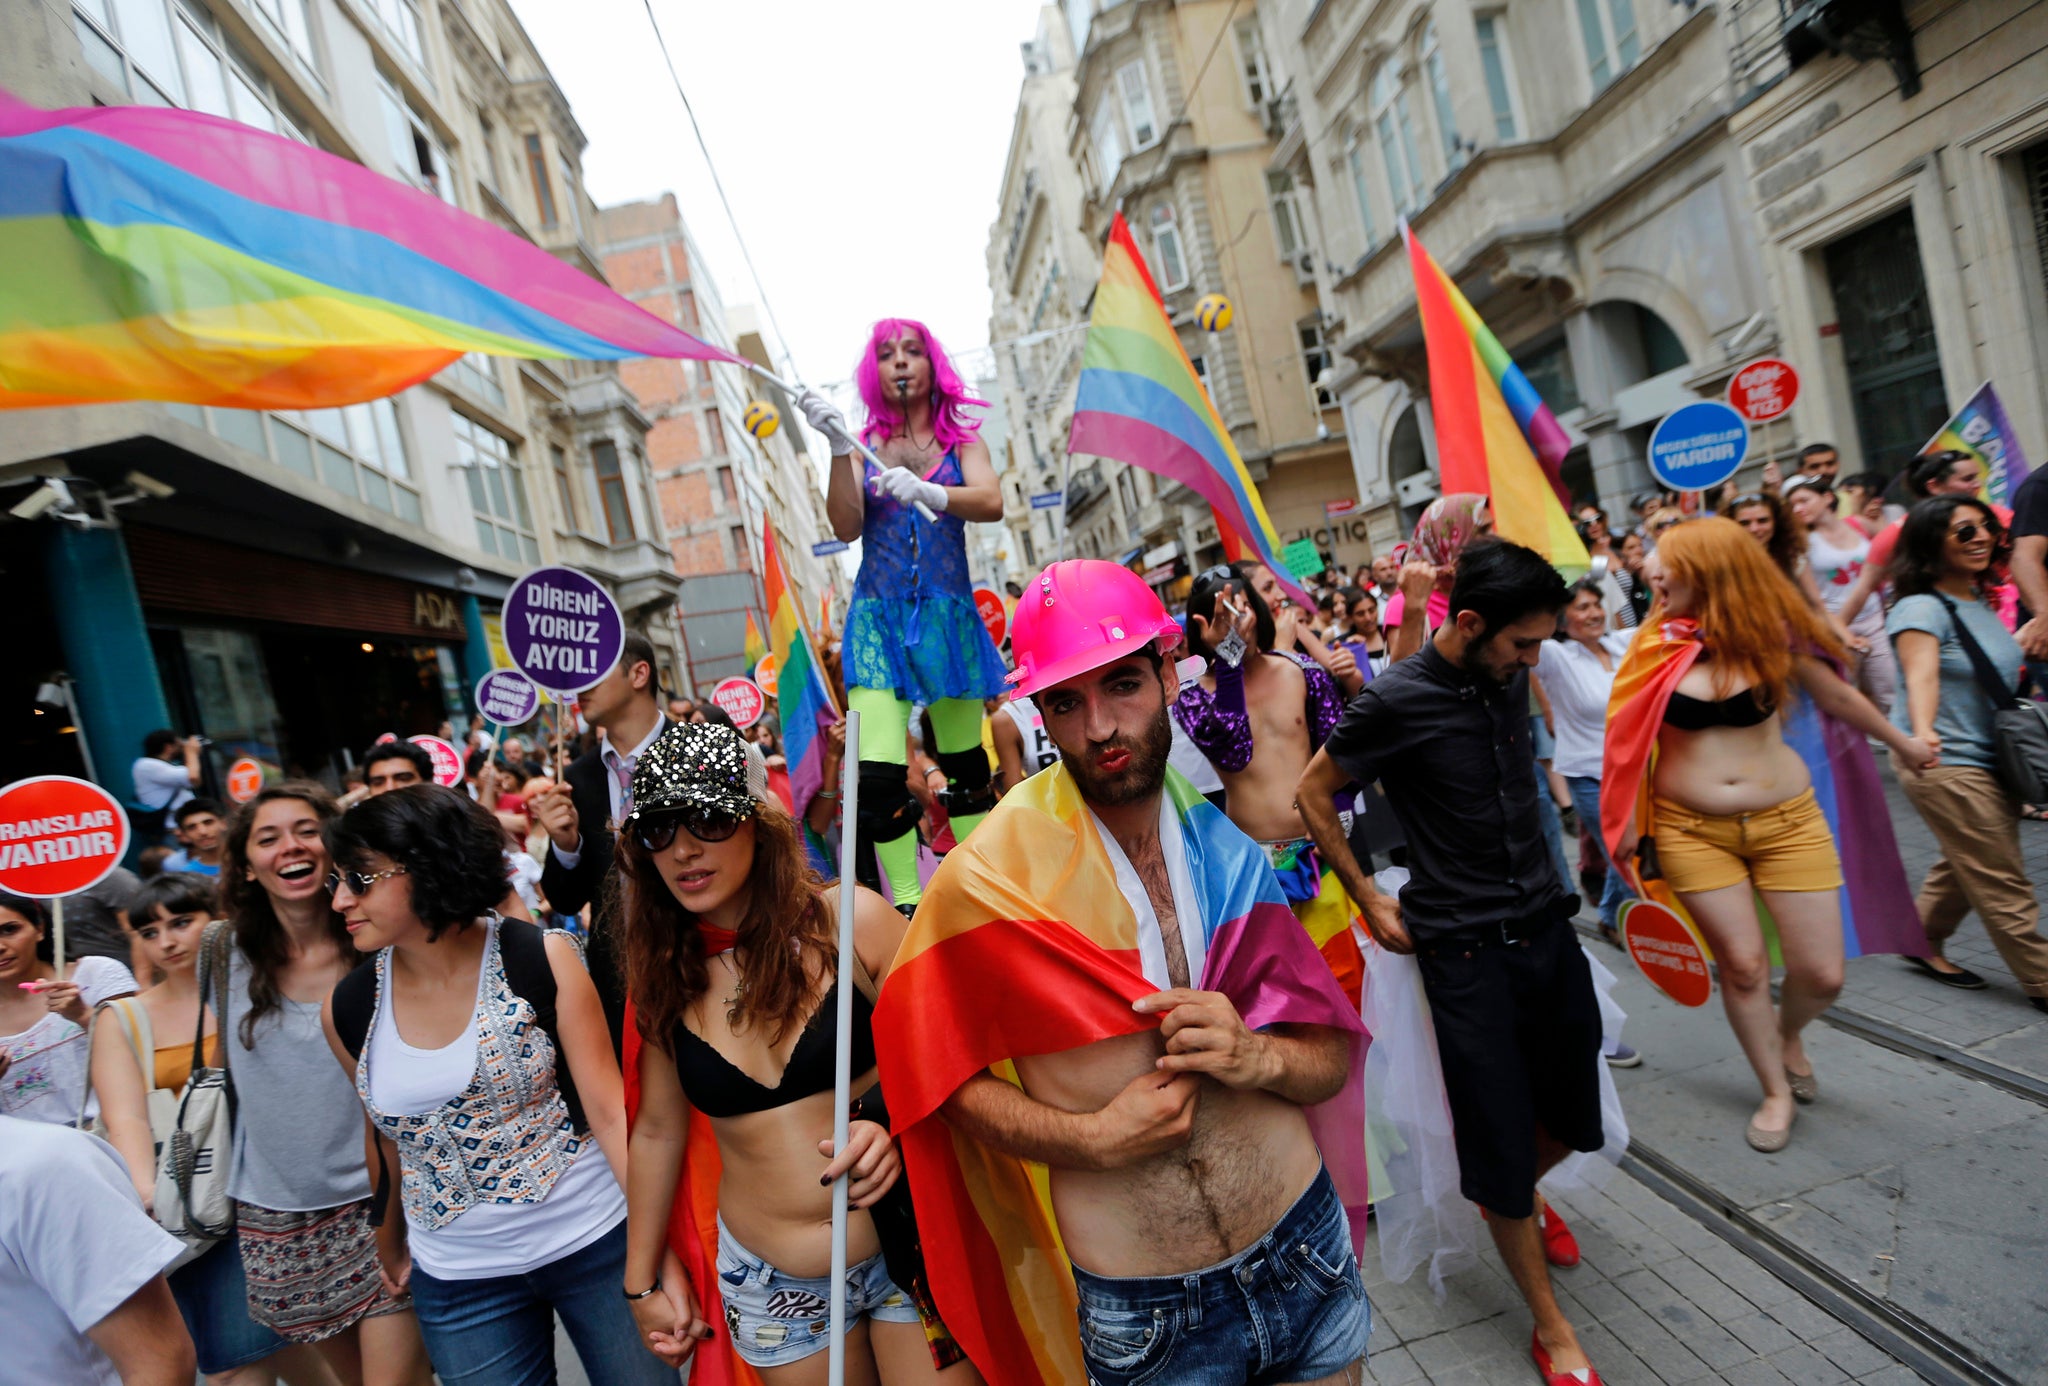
pixel 1142 404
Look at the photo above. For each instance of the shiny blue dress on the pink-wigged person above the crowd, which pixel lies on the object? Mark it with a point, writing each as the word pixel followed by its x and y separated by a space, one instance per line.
pixel 912 627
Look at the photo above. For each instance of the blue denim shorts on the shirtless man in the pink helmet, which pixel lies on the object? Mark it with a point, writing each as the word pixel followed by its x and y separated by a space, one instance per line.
pixel 1285 1309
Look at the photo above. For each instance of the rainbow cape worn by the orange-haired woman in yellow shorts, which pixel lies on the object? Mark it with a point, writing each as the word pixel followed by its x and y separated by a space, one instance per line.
pixel 1877 904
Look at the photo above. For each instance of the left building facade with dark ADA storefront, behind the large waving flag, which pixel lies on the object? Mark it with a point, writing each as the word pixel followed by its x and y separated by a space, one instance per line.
pixel 298 584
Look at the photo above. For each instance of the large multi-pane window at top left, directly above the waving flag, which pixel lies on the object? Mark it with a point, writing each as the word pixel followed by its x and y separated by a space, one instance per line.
pixel 175 56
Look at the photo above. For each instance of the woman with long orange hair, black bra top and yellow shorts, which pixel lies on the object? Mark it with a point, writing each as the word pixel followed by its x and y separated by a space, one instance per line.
pixel 1734 693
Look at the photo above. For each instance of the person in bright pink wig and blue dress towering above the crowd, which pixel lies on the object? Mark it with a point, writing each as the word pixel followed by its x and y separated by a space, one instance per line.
pixel 912 632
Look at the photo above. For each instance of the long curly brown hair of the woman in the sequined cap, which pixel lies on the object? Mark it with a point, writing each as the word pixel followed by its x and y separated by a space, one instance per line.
pixel 787 939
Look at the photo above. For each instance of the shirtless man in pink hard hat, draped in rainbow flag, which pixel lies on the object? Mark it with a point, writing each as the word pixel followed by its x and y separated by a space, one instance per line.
pixel 1113 1053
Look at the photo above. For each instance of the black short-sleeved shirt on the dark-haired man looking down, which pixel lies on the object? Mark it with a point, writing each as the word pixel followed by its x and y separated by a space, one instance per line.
pixel 1453 752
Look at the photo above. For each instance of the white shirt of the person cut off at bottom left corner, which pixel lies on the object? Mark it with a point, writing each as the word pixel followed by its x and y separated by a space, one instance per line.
pixel 75 1246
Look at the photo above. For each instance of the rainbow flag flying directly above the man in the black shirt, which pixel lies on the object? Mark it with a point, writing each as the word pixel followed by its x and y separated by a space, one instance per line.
pixel 1494 433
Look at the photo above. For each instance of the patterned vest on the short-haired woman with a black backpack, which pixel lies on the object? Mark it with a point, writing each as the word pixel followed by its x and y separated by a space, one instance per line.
pixel 507 1137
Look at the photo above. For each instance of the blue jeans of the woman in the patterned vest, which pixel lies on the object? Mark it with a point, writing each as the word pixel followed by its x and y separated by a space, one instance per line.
pixel 501 1332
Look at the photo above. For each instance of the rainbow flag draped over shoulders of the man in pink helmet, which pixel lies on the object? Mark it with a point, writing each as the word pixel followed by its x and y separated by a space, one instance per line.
pixel 1027 947
